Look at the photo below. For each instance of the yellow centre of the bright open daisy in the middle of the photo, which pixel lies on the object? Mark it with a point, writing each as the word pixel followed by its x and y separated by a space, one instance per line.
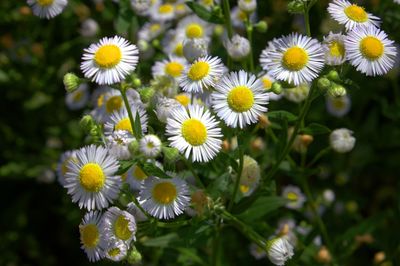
pixel 194 132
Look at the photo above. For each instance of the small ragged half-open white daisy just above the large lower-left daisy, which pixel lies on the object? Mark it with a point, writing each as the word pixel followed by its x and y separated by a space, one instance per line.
pixel 117 144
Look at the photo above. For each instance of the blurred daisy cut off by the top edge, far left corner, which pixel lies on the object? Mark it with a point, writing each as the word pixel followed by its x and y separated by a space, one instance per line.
pixel 47 8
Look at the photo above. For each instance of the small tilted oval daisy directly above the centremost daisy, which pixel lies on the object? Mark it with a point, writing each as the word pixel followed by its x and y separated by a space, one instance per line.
pixel 202 74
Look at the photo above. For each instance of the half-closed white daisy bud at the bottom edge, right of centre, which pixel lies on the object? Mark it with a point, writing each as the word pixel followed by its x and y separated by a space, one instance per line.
pixel 279 250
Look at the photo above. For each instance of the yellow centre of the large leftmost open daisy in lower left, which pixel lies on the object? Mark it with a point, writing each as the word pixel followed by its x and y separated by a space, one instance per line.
pixel 92 177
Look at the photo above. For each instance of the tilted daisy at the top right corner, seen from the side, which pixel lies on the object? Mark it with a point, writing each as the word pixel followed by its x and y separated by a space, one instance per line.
pixel 351 15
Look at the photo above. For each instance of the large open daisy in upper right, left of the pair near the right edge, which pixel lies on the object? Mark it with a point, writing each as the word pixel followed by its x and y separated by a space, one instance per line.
pixel 294 59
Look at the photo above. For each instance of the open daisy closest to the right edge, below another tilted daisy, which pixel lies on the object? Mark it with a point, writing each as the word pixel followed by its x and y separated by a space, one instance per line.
pixel 370 51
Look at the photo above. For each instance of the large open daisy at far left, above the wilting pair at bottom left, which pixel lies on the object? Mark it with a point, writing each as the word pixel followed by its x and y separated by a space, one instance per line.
pixel 91 180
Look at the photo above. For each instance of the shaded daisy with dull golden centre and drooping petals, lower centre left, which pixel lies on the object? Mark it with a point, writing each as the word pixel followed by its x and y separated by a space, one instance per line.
pixel 164 198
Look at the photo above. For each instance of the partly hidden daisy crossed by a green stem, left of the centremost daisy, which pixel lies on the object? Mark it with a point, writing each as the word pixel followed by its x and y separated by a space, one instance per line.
pixel 120 121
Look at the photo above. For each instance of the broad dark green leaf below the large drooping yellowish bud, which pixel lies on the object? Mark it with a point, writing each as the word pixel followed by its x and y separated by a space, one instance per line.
pixel 261 207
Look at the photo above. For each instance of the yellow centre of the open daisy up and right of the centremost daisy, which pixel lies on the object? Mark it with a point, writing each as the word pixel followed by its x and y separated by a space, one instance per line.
pixel 240 99
